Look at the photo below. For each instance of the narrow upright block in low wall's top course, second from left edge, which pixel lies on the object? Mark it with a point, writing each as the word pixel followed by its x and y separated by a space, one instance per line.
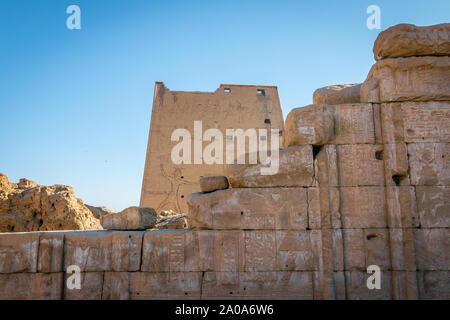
pixel 50 255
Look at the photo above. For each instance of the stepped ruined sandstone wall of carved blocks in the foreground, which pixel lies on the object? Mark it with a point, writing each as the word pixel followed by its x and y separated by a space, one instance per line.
pixel 363 180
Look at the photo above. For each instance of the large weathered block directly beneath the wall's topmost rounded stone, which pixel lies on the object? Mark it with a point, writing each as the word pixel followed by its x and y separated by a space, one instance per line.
pixel 408 79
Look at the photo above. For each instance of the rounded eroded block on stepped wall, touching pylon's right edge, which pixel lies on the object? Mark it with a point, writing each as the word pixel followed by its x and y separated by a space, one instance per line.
pixel 311 125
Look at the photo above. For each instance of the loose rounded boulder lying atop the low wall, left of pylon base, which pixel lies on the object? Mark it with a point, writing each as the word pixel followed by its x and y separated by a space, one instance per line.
pixel 132 218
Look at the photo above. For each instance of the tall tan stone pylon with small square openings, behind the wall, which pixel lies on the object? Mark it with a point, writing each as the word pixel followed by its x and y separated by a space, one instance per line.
pixel 166 185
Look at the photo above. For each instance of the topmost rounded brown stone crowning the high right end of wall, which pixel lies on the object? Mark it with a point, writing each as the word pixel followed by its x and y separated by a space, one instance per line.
pixel 407 40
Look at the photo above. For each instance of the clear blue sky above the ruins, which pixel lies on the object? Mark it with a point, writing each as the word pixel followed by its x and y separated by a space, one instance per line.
pixel 75 105
